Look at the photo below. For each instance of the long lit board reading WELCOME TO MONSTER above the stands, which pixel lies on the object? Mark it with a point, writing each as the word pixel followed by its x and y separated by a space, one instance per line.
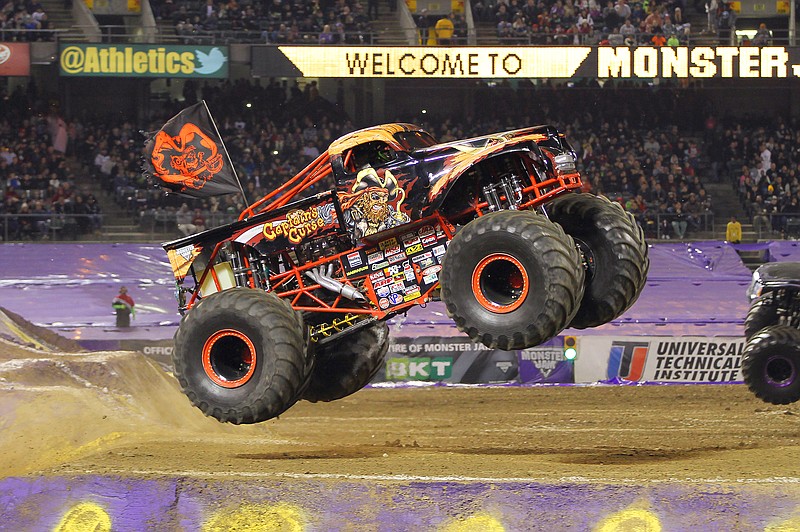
pixel 530 62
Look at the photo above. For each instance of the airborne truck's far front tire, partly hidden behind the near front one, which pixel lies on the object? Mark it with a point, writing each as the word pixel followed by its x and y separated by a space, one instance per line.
pixel 614 249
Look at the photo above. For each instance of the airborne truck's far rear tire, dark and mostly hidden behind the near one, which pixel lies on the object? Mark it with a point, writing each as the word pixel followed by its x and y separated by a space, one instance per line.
pixel 344 366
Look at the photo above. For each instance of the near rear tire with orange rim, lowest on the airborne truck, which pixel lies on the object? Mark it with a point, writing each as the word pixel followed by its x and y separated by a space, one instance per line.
pixel 241 356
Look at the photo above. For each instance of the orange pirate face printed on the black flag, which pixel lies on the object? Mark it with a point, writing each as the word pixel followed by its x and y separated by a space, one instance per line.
pixel 189 159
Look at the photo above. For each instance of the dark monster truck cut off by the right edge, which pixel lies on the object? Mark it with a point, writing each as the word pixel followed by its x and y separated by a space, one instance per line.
pixel 771 357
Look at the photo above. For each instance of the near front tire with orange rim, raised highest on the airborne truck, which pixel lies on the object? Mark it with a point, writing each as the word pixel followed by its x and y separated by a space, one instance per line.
pixel 511 279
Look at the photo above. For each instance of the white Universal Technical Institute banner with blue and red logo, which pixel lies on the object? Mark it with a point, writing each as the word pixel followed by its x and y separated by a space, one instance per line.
pixel 639 359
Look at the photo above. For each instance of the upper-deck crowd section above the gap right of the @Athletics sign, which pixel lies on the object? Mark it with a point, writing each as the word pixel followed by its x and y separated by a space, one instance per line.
pixel 276 21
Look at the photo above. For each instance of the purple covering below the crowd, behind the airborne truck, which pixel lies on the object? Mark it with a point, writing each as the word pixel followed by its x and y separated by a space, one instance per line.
pixel 69 287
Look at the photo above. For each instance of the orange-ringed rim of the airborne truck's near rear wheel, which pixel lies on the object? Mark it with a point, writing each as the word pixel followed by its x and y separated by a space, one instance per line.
pixel 229 358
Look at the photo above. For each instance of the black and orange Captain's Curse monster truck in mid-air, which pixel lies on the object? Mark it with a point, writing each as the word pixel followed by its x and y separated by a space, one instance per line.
pixel 291 301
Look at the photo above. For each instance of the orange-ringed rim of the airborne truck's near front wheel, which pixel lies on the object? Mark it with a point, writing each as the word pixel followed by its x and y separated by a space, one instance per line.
pixel 500 283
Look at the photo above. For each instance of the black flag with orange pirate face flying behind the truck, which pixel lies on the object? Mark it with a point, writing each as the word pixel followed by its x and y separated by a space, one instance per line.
pixel 188 156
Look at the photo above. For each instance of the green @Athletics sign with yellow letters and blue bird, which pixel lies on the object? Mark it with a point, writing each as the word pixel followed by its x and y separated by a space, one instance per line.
pixel 121 60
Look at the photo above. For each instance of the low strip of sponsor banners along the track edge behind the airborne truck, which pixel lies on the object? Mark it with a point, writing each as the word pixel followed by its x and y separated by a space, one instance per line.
pixel 456 359
